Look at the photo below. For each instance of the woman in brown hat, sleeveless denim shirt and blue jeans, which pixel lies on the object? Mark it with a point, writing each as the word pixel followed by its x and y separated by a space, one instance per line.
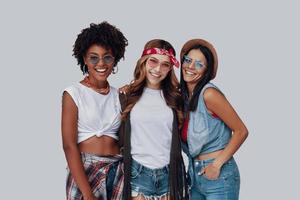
pixel 212 130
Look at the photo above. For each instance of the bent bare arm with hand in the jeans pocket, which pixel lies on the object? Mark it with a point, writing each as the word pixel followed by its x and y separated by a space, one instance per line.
pixel 218 104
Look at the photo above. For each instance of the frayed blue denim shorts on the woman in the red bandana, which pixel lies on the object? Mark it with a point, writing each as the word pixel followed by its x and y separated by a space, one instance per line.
pixel 149 182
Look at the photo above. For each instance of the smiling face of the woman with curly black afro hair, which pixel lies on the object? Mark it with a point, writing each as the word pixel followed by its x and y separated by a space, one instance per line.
pixel 99 62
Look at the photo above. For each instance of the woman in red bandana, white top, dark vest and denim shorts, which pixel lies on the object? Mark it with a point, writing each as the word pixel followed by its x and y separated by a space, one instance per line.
pixel 152 115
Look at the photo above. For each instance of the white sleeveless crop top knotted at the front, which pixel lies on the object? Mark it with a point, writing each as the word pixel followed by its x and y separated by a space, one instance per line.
pixel 97 114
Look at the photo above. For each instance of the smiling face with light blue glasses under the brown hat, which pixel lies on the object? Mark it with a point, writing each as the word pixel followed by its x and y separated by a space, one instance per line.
pixel 194 67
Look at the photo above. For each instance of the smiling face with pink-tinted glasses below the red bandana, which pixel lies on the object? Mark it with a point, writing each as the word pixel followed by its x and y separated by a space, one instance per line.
pixel 157 68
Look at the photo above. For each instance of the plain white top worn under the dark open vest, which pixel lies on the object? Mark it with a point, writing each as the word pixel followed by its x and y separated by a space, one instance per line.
pixel 151 130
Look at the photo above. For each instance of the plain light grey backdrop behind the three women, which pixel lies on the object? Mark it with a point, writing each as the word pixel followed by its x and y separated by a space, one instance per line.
pixel 258 47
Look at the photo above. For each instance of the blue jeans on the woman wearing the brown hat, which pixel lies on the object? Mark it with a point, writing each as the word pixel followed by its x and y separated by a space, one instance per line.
pixel 227 185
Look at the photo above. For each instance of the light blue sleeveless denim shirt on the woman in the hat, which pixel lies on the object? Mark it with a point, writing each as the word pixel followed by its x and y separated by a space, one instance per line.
pixel 206 134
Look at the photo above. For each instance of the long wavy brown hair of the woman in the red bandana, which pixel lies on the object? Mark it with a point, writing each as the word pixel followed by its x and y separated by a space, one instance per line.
pixel 169 86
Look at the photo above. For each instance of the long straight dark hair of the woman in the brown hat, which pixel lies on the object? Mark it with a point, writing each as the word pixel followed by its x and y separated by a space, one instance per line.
pixel 192 104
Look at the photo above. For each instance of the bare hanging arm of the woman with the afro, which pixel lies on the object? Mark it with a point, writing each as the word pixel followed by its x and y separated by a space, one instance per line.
pixel 72 153
